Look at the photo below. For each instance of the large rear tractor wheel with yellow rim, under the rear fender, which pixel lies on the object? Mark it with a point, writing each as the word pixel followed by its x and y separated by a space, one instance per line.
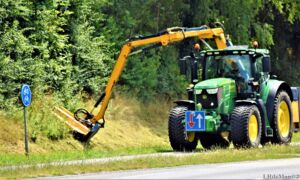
pixel 280 134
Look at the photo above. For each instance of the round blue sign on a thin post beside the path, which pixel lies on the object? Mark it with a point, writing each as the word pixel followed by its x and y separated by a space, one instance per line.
pixel 26 100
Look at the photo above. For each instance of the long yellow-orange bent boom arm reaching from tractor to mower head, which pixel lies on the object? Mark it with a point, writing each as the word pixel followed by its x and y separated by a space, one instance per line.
pixel 172 35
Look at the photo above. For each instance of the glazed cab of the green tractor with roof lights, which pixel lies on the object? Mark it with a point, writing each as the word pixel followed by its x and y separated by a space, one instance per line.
pixel 247 67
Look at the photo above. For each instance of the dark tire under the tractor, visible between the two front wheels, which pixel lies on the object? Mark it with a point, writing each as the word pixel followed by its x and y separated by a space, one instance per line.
pixel 211 140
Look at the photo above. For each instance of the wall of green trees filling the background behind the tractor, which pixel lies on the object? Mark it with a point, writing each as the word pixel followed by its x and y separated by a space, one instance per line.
pixel 65 48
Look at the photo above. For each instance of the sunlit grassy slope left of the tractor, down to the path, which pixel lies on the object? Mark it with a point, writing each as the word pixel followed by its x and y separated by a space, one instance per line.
pixel 131 128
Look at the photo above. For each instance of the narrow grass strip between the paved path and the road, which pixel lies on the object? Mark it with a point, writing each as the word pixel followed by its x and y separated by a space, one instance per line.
pixel 214 156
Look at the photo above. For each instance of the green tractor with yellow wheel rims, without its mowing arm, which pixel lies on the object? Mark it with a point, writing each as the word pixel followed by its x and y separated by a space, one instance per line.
pixel 237 101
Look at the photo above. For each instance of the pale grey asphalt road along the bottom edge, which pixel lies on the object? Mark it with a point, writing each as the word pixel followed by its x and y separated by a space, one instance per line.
pixel 262 169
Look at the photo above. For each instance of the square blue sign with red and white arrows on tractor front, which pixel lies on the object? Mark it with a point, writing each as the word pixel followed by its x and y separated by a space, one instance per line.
pixel 195 121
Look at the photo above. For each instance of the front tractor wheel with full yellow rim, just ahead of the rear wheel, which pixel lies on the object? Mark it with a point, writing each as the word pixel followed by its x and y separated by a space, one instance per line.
pixel 241 132
